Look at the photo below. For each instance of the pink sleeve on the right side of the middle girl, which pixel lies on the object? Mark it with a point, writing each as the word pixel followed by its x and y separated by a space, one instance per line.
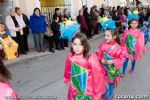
pixel 119 57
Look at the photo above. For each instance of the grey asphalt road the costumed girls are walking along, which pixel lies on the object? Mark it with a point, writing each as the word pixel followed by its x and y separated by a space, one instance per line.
pixel 42 77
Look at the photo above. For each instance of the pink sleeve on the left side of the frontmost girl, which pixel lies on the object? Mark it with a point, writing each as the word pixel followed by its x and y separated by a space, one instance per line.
pixel 67 71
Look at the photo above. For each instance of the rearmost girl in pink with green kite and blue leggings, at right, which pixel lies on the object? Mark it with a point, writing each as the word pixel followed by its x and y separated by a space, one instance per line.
pixel 133 41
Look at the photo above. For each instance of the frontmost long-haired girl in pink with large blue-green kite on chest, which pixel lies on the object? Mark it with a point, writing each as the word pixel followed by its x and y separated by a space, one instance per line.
pixel 83 72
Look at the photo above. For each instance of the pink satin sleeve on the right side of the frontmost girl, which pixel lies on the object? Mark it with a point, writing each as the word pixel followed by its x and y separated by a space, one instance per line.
pixel 97 77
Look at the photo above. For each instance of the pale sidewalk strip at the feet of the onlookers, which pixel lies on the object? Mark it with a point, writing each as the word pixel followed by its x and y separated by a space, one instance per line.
pixel 33 55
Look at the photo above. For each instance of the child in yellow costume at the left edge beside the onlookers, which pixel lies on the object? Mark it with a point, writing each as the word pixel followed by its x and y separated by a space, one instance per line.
pixel 9 45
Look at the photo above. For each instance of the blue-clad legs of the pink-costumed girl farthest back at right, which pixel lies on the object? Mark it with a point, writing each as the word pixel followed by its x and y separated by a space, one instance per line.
pixel 126 64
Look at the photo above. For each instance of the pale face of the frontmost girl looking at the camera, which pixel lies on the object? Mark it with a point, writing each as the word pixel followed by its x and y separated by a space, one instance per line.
pixel 77 46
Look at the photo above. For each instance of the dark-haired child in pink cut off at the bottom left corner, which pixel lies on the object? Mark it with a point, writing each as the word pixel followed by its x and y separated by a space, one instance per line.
pixel 6 92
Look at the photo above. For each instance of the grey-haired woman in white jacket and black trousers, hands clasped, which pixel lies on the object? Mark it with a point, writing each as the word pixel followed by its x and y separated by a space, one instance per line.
pixel 15 25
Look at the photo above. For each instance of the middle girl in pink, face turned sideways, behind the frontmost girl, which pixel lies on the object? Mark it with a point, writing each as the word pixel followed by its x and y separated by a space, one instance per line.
pixel 111 56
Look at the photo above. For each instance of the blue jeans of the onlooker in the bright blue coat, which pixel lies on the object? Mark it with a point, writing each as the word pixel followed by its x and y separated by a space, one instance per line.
pixel 38 40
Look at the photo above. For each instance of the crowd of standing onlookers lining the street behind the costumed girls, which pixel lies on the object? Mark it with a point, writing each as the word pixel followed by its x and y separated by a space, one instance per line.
pixel 18 25
